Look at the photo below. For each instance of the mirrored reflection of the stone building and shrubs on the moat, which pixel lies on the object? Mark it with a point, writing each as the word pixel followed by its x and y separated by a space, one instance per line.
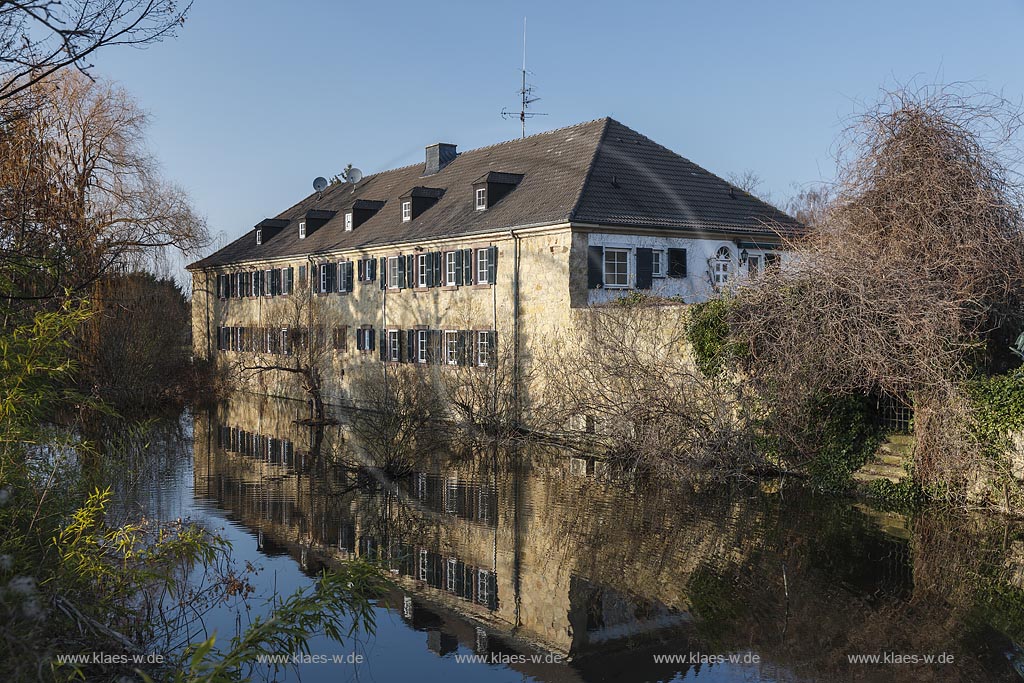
pixel 516 552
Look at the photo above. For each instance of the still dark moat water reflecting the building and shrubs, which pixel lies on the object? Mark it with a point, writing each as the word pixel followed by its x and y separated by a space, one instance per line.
pixel 536 566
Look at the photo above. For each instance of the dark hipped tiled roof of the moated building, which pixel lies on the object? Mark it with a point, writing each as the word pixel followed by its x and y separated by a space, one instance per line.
pixel 595 173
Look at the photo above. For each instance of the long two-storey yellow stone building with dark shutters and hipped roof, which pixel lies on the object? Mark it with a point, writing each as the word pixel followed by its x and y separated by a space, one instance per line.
pixel 446 262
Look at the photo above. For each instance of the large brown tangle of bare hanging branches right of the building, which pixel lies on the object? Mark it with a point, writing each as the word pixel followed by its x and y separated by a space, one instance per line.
pixel 909 282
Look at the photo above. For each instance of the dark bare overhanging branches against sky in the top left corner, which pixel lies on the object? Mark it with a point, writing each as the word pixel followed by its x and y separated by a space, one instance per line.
pixel 38 38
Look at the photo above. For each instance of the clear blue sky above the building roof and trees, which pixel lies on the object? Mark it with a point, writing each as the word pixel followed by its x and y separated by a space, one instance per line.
pixel 254 100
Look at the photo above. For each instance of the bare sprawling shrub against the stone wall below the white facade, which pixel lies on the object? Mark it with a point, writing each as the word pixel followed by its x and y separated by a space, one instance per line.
pixel 625 378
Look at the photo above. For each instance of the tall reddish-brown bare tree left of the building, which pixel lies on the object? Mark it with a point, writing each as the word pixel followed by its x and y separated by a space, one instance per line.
pixel 81 195
